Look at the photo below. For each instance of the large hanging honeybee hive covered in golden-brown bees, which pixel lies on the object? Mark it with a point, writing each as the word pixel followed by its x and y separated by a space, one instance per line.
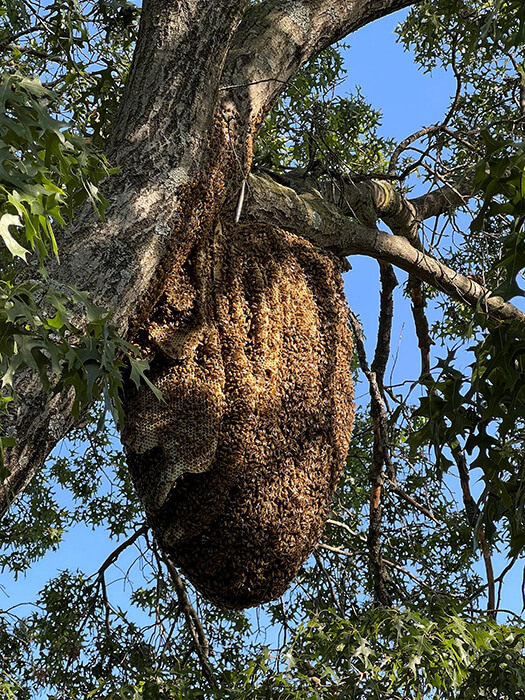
pixel 237 467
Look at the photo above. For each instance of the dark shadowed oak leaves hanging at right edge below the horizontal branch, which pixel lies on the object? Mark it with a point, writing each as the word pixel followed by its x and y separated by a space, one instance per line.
pixel 482 415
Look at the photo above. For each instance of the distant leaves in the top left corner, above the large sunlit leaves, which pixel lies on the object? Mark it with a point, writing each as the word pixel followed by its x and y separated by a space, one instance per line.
pixel 81 49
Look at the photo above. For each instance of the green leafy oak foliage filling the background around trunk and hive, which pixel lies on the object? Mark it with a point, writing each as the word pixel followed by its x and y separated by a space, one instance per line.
pixel 405 619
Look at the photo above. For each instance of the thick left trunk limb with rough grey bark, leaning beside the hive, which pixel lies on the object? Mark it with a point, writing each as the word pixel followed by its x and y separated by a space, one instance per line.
pixel 161 143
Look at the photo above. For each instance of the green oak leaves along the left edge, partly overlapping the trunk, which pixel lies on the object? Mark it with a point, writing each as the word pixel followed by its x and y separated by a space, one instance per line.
pixel 47 172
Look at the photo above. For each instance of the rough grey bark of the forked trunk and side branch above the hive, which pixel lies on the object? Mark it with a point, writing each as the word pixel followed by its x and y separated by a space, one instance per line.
pixel 203 77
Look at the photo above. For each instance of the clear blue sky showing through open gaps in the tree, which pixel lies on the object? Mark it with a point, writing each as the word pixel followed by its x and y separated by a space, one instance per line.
pixel 408 99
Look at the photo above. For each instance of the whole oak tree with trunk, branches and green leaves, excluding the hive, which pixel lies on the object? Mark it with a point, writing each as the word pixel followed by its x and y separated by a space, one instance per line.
pixel 227 110
